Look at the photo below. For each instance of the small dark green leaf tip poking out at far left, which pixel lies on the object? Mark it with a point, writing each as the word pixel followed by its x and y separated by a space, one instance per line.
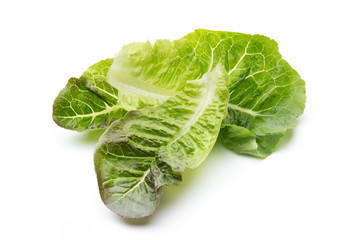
pixel 88 102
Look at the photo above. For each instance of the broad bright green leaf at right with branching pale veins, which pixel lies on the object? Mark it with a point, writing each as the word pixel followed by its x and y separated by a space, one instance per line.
pixel 266 94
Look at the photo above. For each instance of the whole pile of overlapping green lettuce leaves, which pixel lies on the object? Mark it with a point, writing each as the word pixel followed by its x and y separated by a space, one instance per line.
pixel 151 93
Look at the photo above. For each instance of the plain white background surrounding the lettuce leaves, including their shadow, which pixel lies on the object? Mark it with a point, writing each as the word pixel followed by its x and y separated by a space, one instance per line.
pixel 307 189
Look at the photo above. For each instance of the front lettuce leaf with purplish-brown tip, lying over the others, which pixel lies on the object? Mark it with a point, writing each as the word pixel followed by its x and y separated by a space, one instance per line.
pixel 150 147
